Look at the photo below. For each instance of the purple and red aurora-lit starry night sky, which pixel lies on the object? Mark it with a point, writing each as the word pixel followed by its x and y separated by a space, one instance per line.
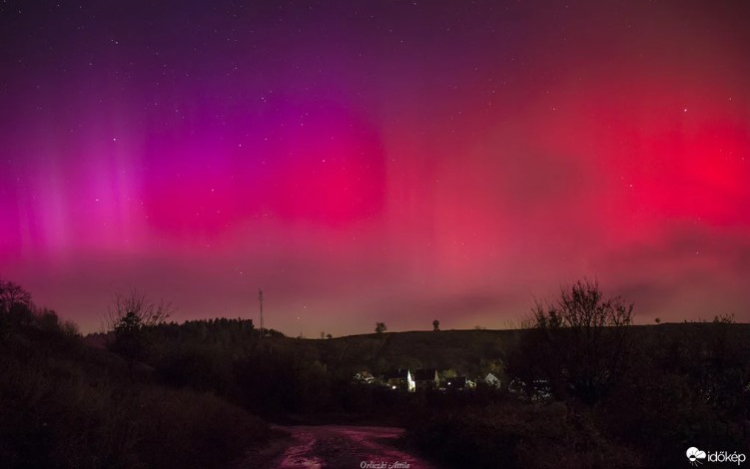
pixel 363 161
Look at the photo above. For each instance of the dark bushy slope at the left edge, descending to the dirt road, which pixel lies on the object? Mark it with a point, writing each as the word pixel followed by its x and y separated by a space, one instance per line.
pixel 65 404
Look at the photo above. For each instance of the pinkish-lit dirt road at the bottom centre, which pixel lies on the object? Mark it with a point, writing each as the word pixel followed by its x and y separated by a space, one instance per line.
pixel 341 447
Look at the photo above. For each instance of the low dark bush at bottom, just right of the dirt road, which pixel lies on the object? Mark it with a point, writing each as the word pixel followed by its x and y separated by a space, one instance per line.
pixel 513 435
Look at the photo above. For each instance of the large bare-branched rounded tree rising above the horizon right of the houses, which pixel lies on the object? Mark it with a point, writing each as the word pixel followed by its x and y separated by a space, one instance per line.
pixel 578 344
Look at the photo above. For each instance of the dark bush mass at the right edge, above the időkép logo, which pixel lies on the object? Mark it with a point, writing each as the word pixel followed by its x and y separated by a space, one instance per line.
pixel 685 386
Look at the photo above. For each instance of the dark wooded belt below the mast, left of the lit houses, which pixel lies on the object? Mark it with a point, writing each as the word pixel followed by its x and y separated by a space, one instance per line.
pixel 281 379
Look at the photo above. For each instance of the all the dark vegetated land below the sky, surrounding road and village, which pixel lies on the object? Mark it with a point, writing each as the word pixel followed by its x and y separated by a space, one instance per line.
pixel 590 389
